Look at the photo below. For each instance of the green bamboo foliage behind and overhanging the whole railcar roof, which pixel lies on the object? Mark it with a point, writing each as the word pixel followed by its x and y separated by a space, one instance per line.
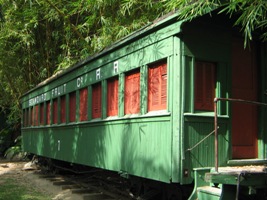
pixel 40 37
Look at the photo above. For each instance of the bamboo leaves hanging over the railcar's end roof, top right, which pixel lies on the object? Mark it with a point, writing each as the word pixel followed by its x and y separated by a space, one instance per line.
pixel 251 14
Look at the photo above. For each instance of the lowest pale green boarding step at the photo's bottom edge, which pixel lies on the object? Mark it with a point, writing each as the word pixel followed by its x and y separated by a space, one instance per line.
pixel 208 192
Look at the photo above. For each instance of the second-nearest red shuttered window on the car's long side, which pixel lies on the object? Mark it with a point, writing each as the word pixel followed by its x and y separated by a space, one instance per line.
pixel 132 93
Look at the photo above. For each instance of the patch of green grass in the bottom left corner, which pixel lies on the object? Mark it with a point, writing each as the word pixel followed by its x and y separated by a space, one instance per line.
pixel 12 189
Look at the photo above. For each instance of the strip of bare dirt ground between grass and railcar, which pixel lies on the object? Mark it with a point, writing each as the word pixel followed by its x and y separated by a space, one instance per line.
pixel 27 173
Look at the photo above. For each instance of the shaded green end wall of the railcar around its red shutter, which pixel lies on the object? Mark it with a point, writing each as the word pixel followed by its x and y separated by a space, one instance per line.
pixel 208 45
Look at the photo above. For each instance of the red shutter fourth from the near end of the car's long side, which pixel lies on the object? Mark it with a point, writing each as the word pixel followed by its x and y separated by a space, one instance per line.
pixel 96 101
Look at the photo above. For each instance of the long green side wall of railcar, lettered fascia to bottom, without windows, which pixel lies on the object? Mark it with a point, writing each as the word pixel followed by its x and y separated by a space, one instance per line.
pixel 140 145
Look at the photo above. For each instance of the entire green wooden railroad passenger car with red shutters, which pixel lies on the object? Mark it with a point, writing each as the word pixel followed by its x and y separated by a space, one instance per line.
pixel 145 106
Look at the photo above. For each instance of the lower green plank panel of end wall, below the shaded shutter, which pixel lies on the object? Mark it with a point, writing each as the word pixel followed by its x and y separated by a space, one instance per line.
pixel 201 154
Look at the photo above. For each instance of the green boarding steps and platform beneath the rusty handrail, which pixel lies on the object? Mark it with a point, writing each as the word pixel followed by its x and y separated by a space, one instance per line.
pixel 230 182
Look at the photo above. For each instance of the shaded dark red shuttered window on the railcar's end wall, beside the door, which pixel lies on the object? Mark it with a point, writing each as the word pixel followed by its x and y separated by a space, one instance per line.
pixel 204 85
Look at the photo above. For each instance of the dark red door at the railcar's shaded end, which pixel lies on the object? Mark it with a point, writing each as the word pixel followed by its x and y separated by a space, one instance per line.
pixel 244 116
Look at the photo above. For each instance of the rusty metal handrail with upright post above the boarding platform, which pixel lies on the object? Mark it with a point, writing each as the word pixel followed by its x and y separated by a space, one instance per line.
pixel 216 121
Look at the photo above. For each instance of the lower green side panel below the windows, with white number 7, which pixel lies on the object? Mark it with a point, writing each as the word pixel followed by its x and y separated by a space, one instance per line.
pixel 139 146
